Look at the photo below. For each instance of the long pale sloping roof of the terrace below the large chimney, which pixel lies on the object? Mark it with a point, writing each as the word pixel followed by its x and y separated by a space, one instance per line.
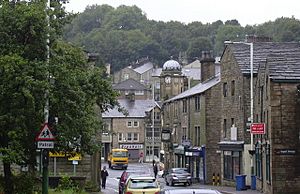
pixel 197 89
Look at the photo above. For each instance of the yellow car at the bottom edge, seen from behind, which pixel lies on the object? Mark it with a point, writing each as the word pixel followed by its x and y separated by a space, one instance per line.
pixel 142 185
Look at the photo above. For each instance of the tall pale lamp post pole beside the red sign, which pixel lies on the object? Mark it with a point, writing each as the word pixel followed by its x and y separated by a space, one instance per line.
pixel 251 102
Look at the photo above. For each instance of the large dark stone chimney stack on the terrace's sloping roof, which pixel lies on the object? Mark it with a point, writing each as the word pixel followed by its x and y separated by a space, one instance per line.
pixel 207 65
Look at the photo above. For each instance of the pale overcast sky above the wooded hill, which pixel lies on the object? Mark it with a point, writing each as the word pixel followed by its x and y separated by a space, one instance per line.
pixel 206 11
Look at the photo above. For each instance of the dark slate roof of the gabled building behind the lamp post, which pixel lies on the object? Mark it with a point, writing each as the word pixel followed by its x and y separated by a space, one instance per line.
pixel 261 50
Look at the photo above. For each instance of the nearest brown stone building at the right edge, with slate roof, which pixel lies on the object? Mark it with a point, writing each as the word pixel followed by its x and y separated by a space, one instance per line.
pixel 277 150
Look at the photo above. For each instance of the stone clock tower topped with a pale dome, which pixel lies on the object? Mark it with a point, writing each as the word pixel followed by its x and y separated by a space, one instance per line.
pixel 171 80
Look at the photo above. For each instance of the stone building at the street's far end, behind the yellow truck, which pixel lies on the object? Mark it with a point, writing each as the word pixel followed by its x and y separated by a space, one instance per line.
pixel 129 130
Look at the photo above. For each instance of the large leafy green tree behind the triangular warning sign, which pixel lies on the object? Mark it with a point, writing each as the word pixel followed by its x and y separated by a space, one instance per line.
pixel 75 87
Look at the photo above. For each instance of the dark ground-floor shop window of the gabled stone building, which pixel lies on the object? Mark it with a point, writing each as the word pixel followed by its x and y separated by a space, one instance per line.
pixel 232 164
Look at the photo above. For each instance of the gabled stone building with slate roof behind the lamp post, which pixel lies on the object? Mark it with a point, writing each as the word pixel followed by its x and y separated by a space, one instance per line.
pixel 235 145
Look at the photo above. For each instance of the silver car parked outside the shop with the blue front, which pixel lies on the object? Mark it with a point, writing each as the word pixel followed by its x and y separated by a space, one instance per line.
pixel 178 175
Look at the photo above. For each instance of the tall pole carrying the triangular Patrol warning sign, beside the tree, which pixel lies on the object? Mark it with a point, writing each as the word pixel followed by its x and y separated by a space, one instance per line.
pixel 46 111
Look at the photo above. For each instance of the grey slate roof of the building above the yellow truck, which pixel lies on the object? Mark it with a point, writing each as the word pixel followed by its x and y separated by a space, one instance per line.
pixel 136 109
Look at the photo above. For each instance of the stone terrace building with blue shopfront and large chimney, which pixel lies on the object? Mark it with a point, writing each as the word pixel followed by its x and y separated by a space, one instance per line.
pixel 194 124
